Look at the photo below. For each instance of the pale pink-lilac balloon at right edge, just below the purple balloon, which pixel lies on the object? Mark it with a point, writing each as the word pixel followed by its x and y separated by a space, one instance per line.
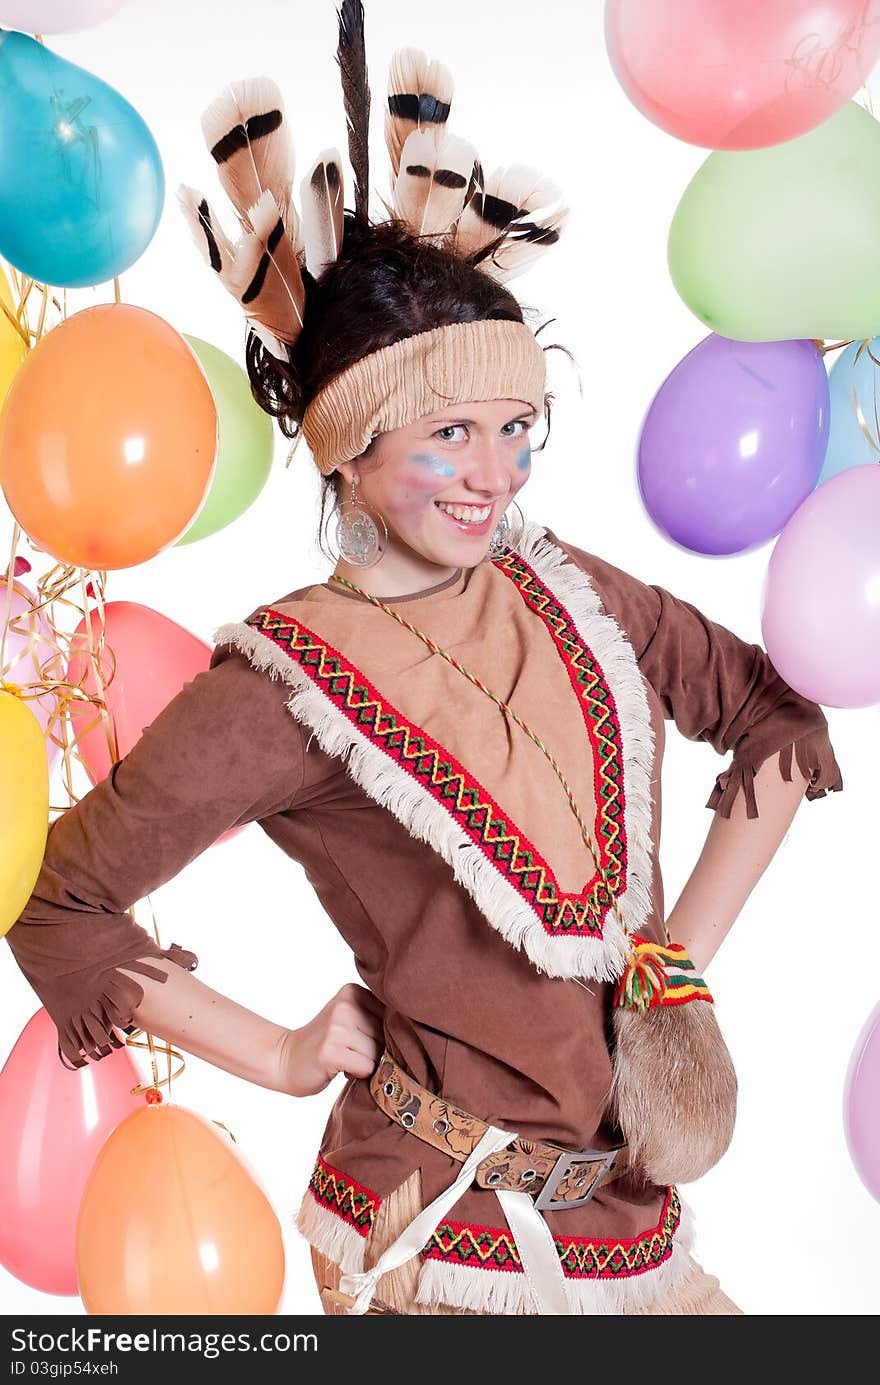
pixel 821 599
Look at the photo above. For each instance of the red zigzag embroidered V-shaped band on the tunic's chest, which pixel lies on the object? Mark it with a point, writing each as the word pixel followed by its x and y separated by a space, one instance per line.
pixel 425 760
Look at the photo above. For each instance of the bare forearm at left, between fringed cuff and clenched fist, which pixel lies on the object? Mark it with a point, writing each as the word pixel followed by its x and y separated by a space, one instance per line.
pixel 204 1023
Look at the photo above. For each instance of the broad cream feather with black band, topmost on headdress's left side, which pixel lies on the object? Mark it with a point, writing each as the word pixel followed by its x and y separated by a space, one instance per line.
pixel 249 138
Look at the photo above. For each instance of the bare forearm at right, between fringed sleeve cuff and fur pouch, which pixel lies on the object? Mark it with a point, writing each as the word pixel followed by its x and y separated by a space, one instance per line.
pixel 737 854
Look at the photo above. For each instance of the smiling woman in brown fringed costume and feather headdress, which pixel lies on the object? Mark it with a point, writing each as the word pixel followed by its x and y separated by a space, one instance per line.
pixel 459 736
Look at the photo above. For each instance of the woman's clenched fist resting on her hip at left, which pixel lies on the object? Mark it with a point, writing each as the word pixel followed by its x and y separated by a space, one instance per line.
pixel 346 1037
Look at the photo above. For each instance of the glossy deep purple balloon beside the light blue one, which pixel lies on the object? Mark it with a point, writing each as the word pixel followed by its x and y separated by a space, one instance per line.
pixel 734 443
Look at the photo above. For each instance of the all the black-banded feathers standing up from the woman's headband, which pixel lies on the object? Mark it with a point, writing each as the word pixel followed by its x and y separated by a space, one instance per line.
pixel 439 188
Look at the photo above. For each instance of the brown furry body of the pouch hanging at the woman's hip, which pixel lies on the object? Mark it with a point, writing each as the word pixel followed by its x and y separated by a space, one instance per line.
pixel 674 1089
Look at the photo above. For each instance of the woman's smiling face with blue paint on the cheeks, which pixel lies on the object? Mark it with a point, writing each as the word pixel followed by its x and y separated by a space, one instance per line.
pixel 444 483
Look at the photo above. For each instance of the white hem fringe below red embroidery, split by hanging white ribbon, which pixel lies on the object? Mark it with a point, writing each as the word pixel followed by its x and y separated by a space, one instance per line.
pixel 508 1292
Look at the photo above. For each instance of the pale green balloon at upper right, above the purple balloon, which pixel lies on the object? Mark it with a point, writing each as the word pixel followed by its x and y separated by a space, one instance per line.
pixel 781 244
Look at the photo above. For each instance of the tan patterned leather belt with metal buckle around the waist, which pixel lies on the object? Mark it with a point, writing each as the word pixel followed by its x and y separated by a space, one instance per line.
pixel 555 1177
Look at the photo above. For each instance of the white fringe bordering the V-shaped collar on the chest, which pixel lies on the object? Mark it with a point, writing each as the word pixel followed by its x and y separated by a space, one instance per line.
pixel 393 787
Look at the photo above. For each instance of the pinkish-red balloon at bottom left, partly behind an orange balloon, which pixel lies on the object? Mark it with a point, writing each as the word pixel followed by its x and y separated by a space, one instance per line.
pixel 53 1124
